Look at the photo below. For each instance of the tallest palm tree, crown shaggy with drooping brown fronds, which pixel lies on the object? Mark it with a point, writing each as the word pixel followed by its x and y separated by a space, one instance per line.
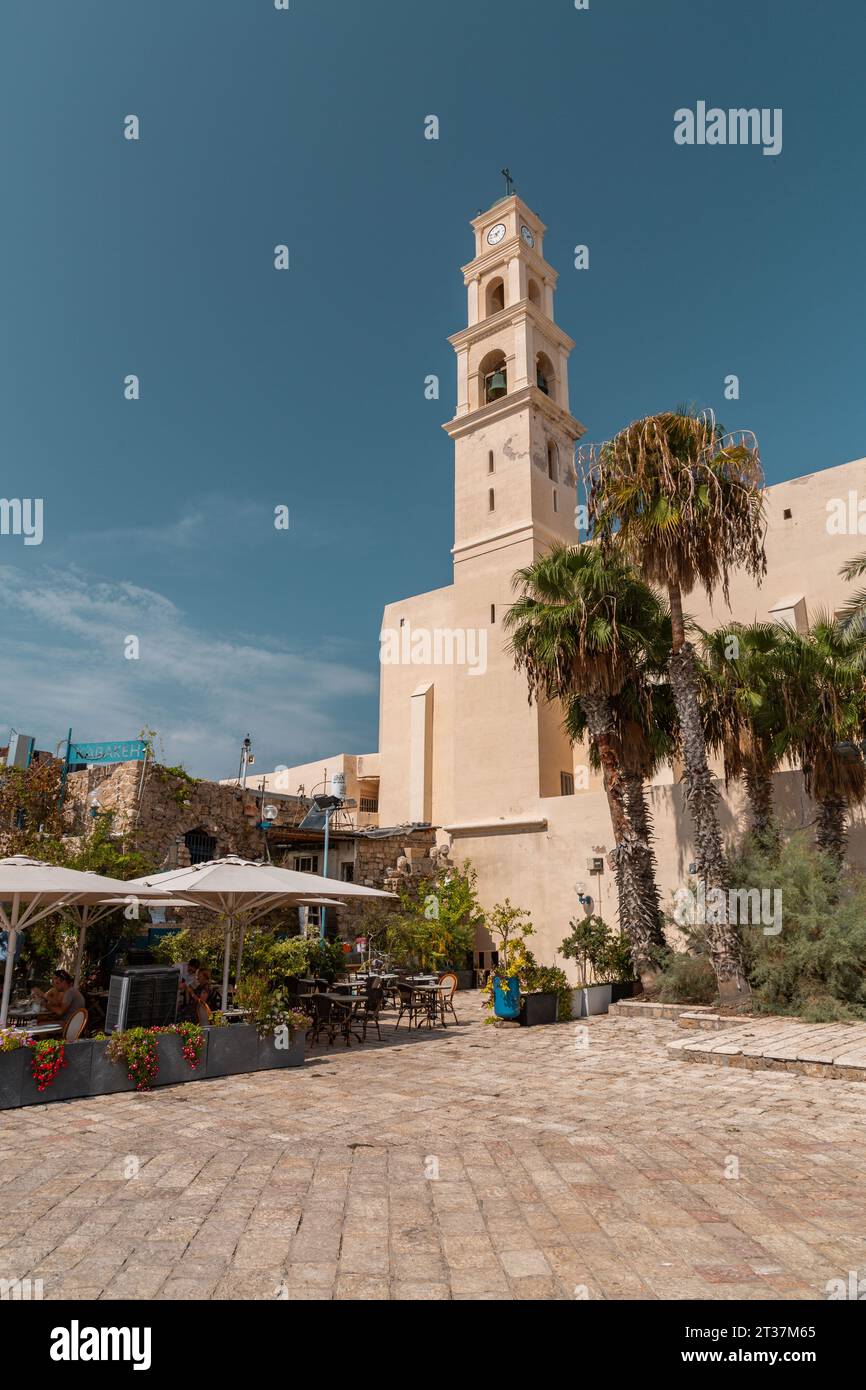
pixel 685 504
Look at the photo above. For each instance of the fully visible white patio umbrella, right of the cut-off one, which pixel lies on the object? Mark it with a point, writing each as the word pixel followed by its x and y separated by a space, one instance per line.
pixel 244 890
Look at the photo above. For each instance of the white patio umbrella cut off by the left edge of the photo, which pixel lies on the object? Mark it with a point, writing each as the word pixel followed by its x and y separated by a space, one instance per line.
pixel 33 890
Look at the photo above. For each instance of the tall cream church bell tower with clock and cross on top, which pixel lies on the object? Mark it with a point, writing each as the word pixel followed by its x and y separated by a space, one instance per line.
pixel 515 497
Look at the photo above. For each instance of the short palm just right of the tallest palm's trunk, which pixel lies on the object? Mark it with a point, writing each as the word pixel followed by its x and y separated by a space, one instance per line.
pixel 746 717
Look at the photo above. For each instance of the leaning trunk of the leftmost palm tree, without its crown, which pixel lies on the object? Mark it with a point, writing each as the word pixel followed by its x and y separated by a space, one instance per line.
pixel 636 918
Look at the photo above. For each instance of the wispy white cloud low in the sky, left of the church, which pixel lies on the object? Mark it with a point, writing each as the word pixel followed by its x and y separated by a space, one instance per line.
pixel 63 664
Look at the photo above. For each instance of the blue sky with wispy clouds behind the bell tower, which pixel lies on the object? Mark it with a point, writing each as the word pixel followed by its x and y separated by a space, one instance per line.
pixel 307 389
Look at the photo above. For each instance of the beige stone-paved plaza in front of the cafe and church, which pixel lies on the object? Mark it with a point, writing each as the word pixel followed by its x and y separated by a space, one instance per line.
pixel 469 1164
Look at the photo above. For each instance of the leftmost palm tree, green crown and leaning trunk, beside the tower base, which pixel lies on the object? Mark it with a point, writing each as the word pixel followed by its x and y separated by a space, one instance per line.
pixel 579 625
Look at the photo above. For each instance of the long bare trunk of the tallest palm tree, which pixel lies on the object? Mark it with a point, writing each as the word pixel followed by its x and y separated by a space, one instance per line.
pixel 703 801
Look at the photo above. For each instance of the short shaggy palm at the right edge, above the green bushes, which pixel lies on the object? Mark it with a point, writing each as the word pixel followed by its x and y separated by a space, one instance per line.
pixel 822 679
